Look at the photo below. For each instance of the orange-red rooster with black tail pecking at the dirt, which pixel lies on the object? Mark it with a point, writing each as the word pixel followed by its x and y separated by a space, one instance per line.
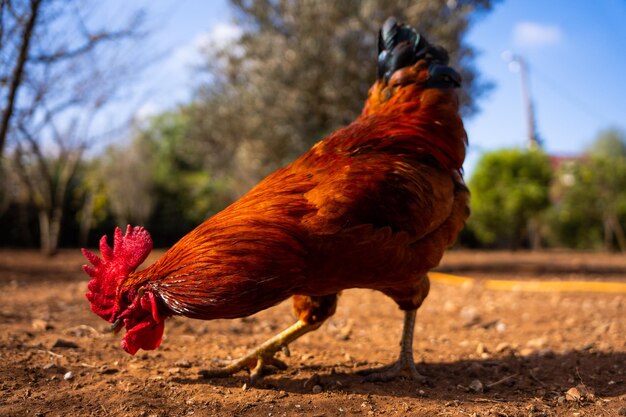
pixel 373 205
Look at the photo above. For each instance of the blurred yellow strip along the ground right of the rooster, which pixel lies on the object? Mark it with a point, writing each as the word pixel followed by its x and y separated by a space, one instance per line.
pixel 531 286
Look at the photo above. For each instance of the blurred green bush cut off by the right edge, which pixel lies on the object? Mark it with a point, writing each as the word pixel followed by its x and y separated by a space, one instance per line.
pixel 591 195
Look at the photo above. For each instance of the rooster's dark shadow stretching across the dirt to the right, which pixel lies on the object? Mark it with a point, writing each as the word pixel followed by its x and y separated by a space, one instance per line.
pixel 508 378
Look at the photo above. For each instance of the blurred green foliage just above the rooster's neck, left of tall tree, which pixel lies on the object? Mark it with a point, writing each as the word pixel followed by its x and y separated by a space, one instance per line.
pixel 180 192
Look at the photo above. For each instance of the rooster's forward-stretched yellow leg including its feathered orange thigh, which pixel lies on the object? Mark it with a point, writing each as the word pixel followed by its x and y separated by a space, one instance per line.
pixel 311 311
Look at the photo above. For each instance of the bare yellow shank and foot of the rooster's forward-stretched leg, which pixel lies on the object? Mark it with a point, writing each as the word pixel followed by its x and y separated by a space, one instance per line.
pixel 263 355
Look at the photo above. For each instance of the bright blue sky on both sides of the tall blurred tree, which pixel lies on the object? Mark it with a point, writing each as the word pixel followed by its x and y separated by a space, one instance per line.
pixel 575 49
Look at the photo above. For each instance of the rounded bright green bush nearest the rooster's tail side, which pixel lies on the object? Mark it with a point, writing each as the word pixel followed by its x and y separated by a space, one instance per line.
pixel 510 191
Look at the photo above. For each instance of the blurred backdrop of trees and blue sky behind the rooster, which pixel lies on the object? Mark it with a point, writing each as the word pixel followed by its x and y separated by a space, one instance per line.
pixel 163 113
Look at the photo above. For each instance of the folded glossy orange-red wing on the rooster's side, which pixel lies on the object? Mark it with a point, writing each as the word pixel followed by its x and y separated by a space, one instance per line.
pixel 380 181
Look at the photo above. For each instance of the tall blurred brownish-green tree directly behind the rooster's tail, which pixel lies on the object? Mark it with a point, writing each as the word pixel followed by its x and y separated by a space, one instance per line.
pixel 301 69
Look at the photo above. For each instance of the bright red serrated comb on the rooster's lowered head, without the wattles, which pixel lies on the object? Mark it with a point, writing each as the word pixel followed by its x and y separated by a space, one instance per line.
pixel 128 252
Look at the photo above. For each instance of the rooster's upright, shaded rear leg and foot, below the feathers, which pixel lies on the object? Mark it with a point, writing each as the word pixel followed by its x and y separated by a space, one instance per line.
pixel 404 366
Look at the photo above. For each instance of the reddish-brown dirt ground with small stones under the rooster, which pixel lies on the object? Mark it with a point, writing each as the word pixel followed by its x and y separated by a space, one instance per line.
pixel 483 352
